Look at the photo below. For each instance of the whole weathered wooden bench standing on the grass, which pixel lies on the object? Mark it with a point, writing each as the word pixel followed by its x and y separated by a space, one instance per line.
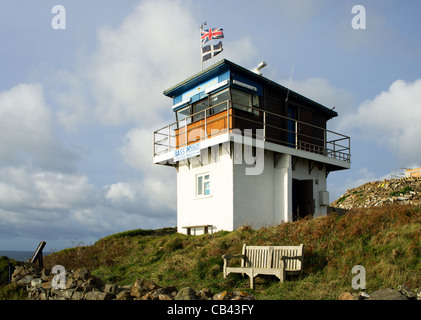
pixel 268 260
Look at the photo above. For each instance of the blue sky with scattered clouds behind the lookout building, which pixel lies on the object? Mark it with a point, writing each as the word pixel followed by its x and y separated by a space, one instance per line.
pixel 81 93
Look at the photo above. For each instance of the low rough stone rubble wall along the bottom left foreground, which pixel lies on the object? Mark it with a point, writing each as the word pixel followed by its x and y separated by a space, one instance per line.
pixel 82 285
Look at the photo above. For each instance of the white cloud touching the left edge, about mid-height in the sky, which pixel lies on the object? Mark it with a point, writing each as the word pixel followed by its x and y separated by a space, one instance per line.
pixel 28 132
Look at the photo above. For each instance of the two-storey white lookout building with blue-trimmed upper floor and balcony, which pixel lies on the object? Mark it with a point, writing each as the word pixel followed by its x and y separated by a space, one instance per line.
pixel 247 151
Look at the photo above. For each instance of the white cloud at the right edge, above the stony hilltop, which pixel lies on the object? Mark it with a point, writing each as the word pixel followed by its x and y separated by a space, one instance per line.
pixel 391 119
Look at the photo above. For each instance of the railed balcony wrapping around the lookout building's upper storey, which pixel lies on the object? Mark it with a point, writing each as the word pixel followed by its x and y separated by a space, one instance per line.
pixel 229 117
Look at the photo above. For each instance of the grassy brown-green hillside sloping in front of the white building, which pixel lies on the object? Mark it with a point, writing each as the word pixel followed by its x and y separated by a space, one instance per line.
pixel 385 240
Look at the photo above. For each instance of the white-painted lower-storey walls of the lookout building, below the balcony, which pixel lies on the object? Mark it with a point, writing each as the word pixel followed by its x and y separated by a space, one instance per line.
pixel 238 199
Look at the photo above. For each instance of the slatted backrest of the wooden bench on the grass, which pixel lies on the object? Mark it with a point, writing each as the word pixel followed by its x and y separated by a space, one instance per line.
pixel 270 256
